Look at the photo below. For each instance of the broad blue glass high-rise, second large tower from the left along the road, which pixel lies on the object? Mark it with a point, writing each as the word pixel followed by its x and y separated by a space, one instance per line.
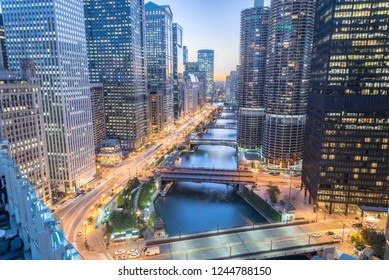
pixel 116 52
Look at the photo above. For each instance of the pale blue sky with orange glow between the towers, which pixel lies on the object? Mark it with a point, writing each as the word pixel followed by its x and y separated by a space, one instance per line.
pixel 211 24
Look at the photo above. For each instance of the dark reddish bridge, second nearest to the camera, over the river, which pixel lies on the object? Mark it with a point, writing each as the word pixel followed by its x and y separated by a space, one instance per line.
pixel 199 175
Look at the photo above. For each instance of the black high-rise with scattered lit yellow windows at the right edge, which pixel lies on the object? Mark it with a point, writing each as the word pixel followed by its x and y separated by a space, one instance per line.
pixel 346 155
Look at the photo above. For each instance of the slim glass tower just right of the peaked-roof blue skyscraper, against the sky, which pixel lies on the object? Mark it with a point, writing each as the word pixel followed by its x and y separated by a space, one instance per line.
pixel 178 70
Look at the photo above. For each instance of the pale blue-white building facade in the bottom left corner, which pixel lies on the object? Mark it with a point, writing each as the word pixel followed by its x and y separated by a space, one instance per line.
pixel 30 230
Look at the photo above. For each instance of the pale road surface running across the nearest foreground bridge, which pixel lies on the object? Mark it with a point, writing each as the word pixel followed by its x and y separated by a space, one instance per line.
pixel 249 243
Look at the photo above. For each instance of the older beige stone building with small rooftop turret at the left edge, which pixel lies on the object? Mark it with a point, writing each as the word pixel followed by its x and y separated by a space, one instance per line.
pixel 21 124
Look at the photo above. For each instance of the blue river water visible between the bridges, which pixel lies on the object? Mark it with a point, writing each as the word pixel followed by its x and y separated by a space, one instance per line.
pixel 192 207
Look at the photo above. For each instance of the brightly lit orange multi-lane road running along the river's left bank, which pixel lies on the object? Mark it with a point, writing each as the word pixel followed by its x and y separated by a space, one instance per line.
pixel 75 212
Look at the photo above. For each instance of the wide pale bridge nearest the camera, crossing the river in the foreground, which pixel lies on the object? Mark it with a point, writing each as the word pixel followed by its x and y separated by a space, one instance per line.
pixel 249 242
